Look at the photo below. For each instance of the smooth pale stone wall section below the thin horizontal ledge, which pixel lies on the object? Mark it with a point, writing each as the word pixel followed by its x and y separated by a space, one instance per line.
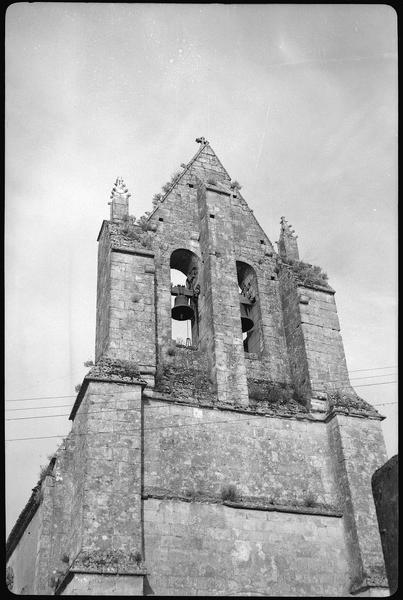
pixel 197 549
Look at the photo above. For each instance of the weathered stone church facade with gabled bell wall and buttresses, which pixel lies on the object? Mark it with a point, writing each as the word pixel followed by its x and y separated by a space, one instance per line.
pixel 238 462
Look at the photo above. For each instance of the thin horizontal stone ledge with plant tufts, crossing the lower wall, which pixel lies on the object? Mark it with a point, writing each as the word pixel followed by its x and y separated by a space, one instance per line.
pixel 245 504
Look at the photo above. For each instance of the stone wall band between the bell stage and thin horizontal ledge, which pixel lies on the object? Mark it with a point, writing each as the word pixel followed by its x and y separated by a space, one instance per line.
pixel 277 460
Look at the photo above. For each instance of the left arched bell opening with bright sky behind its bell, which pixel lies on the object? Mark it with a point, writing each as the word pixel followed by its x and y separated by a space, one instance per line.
pixel 184 293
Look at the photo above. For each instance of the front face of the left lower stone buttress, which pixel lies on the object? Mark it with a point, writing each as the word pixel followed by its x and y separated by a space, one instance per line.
pixel 109 498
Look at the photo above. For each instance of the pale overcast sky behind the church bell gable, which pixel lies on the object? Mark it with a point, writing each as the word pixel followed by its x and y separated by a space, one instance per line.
pixel 298 101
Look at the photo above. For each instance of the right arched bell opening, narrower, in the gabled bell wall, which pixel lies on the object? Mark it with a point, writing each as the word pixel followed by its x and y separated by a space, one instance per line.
pixel 249 308
